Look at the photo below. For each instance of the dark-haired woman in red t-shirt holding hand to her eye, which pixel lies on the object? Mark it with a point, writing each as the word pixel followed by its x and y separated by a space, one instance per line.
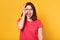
pixel 30 26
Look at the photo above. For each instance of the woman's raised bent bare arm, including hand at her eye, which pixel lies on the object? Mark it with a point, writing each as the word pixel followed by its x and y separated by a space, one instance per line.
pixel 20 24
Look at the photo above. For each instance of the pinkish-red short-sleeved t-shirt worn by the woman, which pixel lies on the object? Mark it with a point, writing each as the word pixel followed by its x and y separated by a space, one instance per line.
pixel 30 30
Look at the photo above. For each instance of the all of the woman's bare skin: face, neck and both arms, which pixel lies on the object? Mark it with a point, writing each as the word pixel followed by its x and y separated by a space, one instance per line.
pixel 28 12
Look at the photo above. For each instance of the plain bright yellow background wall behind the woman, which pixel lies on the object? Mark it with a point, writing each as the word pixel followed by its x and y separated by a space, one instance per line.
pixel 48 11
